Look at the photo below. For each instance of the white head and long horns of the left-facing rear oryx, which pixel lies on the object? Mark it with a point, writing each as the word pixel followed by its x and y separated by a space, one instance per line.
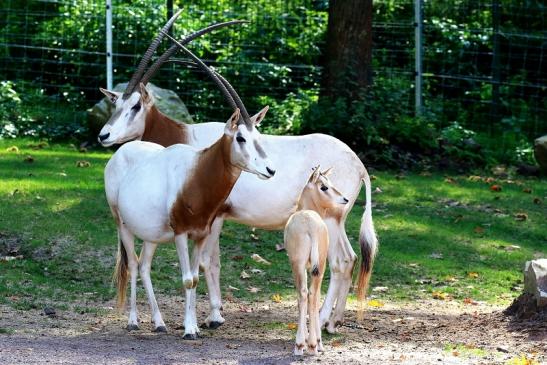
pixel 127 122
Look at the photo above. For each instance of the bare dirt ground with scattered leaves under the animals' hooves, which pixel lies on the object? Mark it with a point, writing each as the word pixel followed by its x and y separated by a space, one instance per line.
pixel 423 332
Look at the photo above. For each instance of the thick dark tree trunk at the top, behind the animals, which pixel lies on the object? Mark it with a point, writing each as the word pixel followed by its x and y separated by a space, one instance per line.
pixel 348 55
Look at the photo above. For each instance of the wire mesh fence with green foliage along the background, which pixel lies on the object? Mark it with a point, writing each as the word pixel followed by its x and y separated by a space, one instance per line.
pixel 483 60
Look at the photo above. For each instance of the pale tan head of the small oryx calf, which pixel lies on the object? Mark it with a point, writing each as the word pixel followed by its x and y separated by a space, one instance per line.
pixel 320 193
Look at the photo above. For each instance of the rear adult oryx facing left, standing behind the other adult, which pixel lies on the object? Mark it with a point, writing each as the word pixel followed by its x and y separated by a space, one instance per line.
pixel 269 205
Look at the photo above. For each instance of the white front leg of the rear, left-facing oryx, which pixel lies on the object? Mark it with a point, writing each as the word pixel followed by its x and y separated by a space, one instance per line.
pixel 210 263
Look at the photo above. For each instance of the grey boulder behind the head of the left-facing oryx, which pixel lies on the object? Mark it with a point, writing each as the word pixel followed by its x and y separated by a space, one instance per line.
pixel 166 100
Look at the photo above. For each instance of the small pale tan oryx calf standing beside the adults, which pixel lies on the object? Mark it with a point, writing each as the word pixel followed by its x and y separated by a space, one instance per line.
pixel 307 244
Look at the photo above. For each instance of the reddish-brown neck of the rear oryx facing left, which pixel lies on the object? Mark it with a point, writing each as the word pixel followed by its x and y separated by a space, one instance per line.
pixel 161 129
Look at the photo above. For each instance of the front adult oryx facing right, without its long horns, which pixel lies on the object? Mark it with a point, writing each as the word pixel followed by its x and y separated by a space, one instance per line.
pixel 174 194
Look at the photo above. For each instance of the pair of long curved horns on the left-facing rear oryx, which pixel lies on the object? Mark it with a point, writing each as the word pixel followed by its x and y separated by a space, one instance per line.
pixel 138 77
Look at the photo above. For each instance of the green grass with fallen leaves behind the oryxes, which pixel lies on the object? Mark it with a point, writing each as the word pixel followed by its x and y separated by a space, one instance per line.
pixel 449 235
